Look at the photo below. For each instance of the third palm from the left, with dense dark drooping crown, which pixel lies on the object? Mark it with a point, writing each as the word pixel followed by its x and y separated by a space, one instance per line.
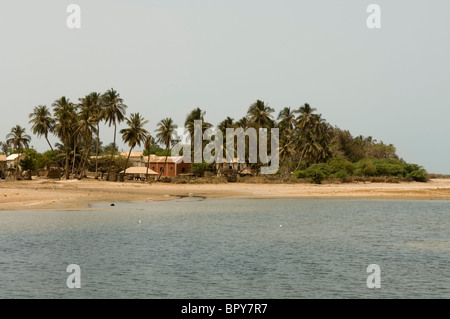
pixel 64 113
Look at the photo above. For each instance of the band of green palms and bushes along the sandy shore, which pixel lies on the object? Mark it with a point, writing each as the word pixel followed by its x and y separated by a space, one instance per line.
pixel 310 147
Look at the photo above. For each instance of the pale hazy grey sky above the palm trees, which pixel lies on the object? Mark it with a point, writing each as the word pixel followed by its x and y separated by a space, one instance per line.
pixel 167 57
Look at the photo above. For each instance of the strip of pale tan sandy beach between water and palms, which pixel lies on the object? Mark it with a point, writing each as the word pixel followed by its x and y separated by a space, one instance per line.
pixel 74 194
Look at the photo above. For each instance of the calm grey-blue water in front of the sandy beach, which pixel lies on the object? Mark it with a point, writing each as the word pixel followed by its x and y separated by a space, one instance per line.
pixel 229 249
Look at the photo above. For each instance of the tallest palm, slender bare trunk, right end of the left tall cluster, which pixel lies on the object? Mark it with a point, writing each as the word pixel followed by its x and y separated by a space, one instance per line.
pixel 114 114
